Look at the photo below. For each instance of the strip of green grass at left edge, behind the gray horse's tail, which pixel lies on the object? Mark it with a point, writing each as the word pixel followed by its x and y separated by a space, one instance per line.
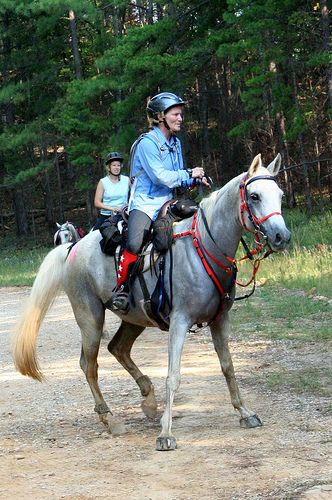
pixel 19 267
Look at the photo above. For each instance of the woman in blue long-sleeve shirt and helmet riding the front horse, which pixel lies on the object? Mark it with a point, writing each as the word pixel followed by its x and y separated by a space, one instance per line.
pixel 157 166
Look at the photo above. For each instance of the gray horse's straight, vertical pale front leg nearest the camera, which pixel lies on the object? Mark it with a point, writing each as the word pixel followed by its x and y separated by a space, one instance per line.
pixel 178 329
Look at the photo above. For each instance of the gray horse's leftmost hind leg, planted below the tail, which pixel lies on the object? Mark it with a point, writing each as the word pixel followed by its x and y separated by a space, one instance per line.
pixel 90 318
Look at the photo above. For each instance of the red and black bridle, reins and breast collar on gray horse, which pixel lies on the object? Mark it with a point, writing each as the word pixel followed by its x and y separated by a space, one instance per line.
pixel 231 269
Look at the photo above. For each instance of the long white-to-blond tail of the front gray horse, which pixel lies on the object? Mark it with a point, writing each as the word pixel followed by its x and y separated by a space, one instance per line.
pixel 46 287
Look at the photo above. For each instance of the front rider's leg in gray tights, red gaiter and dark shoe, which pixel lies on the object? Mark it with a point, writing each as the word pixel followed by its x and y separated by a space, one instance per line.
pixel 139 225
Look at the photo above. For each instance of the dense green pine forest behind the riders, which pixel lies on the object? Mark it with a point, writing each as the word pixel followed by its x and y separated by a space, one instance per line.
pixel 76 76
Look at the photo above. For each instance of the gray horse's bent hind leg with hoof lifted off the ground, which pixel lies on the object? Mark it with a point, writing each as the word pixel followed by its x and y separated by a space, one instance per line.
pixel 120 346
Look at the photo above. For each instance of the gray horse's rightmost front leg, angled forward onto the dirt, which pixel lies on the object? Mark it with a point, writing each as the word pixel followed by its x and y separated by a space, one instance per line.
pixel 220 331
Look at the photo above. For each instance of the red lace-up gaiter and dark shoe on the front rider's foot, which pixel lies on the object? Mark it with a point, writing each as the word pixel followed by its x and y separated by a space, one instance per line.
pixel 119 302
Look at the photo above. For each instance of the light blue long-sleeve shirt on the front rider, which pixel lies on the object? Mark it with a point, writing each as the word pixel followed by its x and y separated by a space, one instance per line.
pixel 157 166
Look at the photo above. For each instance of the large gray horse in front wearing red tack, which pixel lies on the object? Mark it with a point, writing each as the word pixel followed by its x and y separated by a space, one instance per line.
pixel 203 289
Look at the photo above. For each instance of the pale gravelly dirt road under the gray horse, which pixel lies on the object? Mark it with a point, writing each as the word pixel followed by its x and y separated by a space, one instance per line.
pixel 53 446
